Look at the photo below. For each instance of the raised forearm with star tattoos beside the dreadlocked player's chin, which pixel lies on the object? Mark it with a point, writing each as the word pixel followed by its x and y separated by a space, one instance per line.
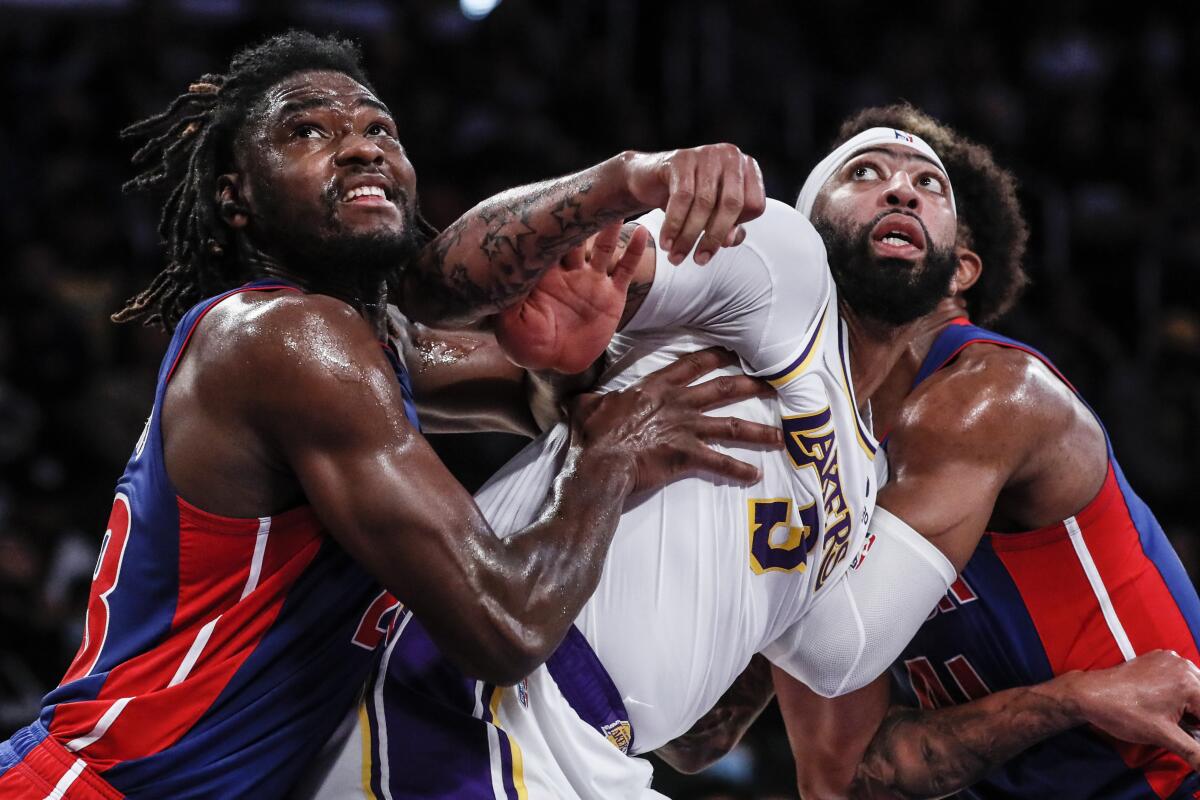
pixel 496 252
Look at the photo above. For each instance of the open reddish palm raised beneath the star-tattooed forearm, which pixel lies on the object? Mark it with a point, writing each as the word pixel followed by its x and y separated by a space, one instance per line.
pixel 566 322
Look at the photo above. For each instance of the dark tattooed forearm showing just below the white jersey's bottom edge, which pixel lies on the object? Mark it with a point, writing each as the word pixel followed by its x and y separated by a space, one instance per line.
pixel 719 732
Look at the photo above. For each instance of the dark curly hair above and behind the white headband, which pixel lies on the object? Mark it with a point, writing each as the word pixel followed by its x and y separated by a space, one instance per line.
pixel 991 219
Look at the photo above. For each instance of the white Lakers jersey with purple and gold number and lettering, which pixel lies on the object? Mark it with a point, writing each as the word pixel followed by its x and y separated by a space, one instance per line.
pixel 701 575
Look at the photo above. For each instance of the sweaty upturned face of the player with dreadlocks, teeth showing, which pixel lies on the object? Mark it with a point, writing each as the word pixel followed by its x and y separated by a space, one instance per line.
pixel 322 172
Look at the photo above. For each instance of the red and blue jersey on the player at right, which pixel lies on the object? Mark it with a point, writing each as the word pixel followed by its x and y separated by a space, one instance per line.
pixel 1087 593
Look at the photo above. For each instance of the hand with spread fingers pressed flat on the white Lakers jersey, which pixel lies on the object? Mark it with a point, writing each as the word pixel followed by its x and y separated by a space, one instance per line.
pixel 659 426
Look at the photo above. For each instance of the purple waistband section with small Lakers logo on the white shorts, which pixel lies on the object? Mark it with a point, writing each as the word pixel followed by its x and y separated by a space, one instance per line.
pixel 589 689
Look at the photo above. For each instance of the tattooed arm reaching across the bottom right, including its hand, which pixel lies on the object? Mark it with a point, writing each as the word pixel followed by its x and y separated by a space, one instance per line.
pixel 856 747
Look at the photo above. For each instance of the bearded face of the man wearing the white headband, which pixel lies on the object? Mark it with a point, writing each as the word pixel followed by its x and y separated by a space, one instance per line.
pixel 890 231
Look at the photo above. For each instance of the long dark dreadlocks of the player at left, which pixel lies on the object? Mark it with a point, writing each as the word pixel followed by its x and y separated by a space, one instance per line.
pixel 190 145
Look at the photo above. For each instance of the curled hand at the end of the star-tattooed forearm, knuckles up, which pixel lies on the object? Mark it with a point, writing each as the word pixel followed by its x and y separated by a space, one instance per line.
pixel 710 190
